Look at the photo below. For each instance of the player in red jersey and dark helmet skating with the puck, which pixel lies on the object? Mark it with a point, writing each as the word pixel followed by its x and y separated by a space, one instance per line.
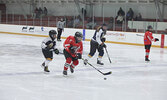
pixel 73 49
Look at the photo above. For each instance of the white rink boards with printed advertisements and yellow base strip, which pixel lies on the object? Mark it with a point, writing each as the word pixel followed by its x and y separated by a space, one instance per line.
pixel 130 38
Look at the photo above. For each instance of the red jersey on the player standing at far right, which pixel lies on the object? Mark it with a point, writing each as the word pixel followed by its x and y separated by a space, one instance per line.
pixel 148 38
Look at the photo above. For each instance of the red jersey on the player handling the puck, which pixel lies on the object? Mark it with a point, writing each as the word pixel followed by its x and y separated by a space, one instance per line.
pixel 71 42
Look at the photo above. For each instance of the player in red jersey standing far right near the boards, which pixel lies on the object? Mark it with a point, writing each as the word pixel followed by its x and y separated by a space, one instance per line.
pixel 148 38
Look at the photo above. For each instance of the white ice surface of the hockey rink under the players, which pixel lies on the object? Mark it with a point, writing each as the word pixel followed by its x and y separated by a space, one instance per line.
pixel 22 78
